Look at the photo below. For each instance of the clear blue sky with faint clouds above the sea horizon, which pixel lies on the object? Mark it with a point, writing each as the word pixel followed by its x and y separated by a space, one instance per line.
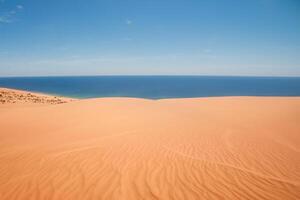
pixel 150 37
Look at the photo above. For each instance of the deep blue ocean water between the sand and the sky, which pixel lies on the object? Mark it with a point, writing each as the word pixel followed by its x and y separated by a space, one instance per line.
pixel 156 87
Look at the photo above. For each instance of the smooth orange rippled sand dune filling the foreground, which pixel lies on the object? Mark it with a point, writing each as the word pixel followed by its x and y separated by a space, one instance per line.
pixel 126 148
